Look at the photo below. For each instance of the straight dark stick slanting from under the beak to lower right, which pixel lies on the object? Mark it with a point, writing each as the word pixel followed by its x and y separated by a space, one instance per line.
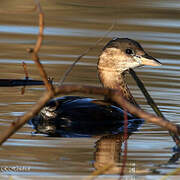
pixel 152 104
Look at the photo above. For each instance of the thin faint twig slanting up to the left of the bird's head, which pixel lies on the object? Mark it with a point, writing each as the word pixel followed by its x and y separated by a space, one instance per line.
pixel 83 54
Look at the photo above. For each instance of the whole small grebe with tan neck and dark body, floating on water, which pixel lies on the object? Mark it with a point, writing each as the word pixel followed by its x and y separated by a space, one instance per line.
pixel 76 116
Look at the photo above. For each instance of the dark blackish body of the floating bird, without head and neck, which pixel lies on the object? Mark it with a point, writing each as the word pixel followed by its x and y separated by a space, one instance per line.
pixel 74 116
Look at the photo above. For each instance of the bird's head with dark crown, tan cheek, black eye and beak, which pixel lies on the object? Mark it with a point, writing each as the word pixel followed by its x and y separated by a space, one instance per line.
pixel 120 54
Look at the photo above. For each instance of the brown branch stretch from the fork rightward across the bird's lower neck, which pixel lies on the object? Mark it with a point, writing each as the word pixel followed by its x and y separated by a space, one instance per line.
pixel 116 97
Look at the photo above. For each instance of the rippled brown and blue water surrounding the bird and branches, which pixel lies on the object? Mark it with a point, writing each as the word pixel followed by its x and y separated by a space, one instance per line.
pixel 71 28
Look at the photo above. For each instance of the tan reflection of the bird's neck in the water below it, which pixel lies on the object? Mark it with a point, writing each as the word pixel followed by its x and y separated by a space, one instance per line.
pixel 109 151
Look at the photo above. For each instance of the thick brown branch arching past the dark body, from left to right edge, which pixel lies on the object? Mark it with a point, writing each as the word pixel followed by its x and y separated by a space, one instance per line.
pixel 68 89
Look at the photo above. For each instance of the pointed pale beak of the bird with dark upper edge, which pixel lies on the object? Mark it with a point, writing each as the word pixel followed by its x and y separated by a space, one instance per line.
pixel 149 60
